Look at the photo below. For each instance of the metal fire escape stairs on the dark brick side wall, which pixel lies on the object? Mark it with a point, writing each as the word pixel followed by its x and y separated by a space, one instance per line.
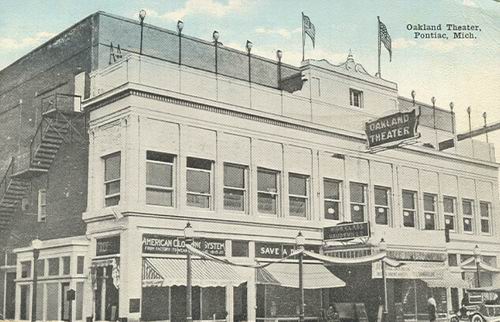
pixel 61 122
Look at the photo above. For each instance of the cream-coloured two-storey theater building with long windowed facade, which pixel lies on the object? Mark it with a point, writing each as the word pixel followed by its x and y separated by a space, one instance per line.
pixel 250 151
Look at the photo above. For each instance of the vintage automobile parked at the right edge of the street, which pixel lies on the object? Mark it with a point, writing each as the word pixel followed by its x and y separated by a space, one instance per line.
pixel 483 306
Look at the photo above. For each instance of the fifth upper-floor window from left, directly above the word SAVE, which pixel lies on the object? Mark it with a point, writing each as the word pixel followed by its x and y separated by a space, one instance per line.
pixel 267 191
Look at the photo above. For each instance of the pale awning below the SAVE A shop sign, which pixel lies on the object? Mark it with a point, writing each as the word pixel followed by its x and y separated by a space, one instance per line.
pixel 315 276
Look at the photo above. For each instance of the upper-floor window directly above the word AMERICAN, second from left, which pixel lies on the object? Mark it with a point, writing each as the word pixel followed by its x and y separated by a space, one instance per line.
pixel 159 179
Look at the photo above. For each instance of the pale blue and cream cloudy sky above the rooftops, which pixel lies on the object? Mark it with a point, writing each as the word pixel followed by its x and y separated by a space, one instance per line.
pixel 465 71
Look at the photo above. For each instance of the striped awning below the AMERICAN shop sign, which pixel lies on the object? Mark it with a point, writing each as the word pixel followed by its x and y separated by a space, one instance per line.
pixel 173 272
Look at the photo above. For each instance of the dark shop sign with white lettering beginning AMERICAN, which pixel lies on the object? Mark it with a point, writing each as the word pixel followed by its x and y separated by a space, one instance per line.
pixel 161 244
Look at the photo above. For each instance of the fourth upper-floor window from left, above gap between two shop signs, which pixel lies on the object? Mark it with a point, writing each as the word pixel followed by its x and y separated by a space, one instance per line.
pixel 235 187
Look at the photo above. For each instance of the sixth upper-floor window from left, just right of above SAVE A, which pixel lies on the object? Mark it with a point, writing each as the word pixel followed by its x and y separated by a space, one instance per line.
pixel 297 194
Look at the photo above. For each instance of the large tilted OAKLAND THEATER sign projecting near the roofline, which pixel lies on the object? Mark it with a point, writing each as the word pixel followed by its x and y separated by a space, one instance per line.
pixel 392 129
